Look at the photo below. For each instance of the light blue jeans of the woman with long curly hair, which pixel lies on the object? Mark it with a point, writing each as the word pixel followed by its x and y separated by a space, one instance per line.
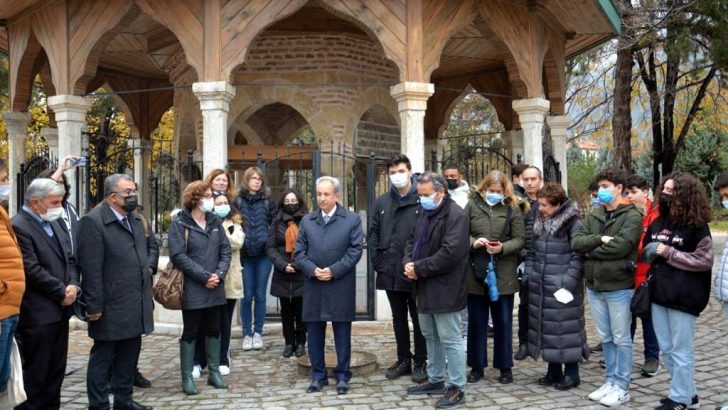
pixel 676 334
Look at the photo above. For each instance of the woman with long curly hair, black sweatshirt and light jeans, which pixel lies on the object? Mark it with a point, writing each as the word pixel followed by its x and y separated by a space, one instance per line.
pixel 680 249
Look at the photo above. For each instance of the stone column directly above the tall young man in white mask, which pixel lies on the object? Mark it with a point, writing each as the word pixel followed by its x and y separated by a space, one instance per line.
pixel 411 100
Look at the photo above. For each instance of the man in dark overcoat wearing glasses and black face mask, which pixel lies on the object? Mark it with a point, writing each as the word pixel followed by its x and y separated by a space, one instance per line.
pixel 114 266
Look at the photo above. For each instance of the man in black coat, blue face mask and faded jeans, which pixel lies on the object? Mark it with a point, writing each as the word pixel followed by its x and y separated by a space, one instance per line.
pixel 436 258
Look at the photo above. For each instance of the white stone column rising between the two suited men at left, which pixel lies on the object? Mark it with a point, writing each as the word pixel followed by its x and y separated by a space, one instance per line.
pixel 70 117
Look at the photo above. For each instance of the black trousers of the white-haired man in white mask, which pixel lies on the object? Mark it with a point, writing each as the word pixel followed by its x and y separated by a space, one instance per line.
pixel 43 350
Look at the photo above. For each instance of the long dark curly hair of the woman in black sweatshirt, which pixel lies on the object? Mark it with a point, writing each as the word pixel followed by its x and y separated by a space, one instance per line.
pixel 689 206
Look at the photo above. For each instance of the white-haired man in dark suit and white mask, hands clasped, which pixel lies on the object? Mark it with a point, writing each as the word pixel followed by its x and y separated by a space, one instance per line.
pixel 51 288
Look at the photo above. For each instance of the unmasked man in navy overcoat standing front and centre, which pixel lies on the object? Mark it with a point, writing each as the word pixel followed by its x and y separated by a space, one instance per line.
pixel 329 245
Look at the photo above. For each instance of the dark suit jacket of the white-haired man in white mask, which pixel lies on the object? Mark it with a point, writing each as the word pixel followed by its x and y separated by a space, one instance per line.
pixel 49 267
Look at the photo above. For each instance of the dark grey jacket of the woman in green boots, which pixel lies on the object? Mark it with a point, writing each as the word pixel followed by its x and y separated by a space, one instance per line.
pixel 207 251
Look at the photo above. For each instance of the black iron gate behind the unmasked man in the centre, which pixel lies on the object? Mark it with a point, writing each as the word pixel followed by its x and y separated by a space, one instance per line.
pixel 362 180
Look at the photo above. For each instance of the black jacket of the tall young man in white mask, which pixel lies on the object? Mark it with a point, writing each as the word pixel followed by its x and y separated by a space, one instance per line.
pixel 392 222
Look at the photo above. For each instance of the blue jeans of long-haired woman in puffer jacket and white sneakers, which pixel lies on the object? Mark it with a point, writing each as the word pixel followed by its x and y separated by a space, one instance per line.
pixel 256 271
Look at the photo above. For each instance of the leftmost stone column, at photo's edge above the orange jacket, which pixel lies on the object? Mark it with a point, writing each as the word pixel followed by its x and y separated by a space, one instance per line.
pixel 17 126
